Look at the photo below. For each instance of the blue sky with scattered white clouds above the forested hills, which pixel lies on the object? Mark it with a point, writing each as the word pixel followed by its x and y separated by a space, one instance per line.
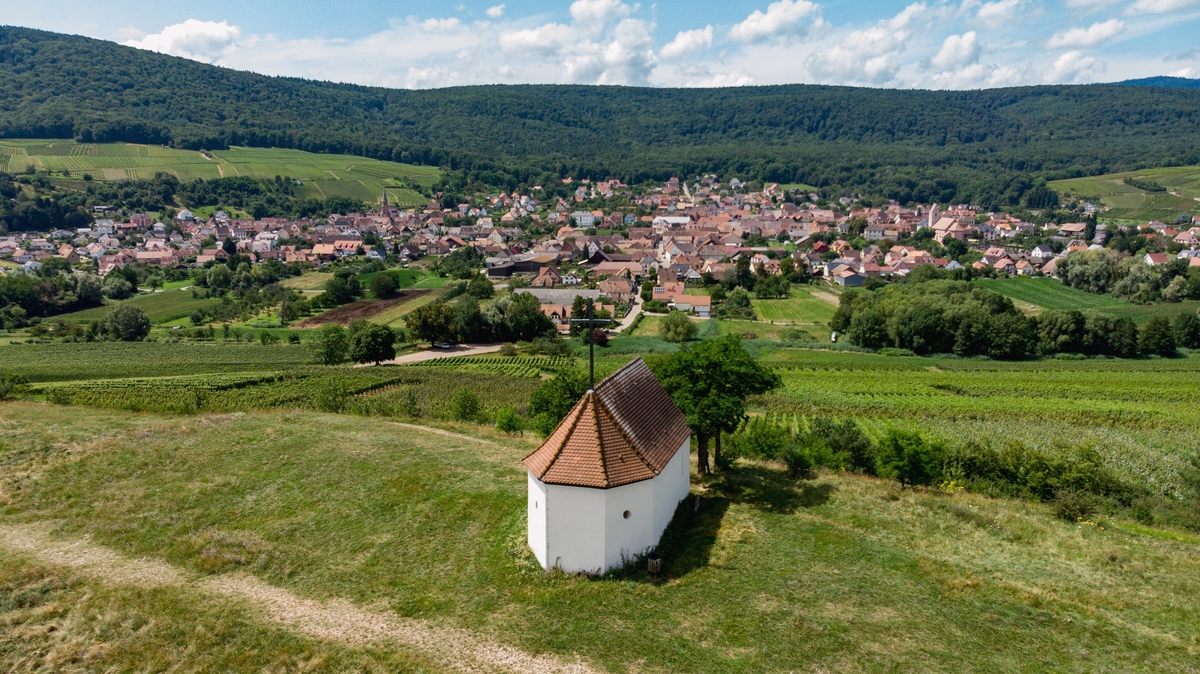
pixel 932 45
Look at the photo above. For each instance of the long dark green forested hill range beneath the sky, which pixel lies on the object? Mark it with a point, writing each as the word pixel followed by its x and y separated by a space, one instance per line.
pixel 988 147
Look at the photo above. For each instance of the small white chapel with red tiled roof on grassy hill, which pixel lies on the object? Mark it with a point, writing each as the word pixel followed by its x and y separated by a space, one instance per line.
pixel 607 483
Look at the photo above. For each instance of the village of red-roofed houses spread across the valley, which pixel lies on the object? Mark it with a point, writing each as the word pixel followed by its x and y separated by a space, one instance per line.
pixel 664 239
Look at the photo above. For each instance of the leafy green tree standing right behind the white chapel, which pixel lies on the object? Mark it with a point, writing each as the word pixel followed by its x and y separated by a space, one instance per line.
pixel 711 383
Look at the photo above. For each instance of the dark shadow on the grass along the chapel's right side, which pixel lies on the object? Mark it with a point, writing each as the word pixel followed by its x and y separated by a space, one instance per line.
pixel 688 543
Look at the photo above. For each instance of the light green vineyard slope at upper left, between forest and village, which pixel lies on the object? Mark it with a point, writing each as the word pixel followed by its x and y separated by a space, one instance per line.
pixel 322 176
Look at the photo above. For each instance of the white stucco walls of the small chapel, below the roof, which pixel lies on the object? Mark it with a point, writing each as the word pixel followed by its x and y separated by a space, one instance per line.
pixel 580 529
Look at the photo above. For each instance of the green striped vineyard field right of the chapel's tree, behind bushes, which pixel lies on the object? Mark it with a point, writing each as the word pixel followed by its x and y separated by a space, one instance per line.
pixel 1141 416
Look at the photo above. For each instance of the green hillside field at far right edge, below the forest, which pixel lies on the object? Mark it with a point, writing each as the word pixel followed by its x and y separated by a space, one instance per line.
pixel 1126 203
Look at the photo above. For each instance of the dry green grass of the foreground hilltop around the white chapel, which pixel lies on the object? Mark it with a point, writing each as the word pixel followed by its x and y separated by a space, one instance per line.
pixel 841 574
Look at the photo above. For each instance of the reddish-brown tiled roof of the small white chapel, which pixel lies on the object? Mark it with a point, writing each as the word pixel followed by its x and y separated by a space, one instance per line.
pixel 627 431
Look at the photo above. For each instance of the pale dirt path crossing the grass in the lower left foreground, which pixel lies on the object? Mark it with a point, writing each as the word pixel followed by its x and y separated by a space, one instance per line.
pixel 337 621
